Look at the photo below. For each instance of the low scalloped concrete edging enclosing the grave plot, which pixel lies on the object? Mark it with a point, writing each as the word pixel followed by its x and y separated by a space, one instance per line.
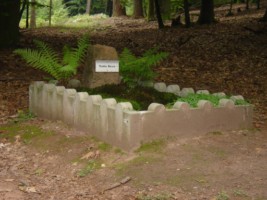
pixel 118 124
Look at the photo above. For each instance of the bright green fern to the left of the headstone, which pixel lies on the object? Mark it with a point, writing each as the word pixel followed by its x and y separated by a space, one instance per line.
pixel 46 59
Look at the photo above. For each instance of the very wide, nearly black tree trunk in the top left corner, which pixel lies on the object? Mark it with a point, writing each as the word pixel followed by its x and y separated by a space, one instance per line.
pixel 9 22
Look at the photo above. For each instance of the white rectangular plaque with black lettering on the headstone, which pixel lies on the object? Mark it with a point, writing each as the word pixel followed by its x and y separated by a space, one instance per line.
pixel 107 66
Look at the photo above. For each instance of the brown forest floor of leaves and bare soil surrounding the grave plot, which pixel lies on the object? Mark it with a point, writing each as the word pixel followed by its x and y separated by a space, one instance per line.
pixel 44 159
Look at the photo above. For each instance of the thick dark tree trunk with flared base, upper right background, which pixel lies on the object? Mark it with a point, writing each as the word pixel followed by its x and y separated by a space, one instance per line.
pixel 207 12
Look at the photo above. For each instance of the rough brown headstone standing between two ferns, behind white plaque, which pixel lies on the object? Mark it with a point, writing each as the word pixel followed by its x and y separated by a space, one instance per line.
pixel 92 78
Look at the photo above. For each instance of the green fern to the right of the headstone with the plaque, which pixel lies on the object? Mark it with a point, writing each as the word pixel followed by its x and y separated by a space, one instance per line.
pixel 134 69
